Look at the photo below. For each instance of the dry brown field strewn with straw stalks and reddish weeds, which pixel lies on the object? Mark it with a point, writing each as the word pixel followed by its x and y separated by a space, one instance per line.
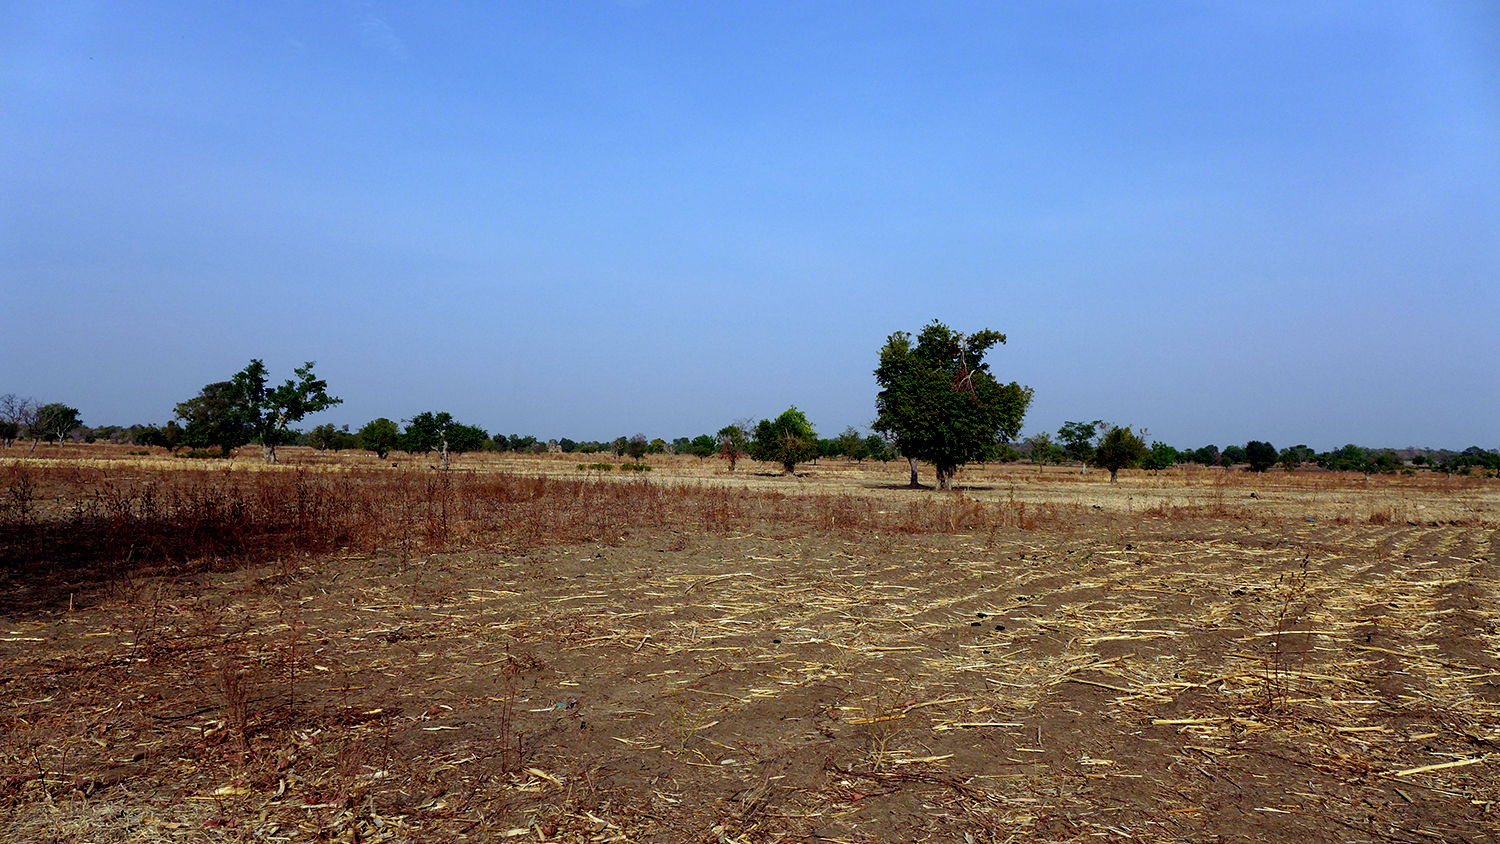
pixel 352 650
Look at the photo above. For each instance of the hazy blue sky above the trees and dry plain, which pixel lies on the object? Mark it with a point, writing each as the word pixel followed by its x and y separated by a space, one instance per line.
pixel 1219 221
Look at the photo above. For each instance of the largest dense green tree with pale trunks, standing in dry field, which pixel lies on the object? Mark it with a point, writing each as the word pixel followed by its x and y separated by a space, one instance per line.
pixel 941 404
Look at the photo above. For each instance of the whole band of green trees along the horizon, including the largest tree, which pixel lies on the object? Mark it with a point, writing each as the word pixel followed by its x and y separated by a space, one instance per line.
pixel 938 404
